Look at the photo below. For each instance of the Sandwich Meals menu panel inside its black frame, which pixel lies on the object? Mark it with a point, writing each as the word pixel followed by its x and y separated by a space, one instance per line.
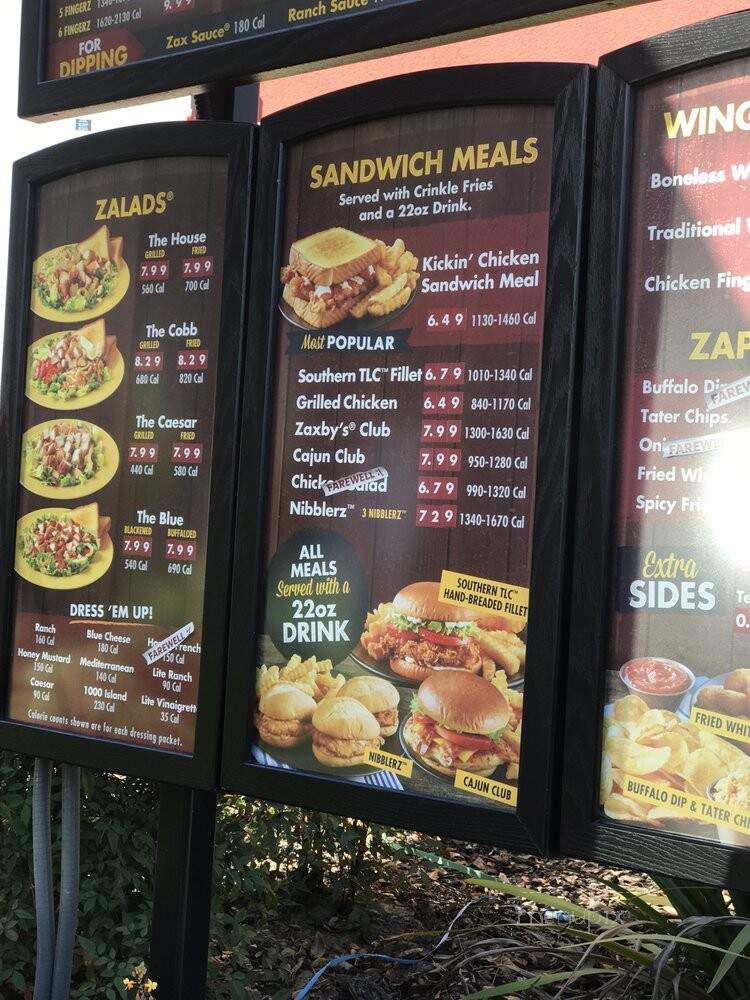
pixel 399 533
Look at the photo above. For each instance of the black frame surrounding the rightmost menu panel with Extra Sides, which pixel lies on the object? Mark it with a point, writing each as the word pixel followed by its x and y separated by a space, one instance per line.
pixel 584 831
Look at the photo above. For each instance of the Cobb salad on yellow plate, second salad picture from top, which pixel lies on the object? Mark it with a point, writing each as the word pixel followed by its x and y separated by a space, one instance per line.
pixel 73 365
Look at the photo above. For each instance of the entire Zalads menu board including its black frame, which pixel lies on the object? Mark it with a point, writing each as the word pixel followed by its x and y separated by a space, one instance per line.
pixel 122 448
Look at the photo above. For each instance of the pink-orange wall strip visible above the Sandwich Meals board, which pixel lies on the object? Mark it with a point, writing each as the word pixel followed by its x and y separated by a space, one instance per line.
pixel 582 39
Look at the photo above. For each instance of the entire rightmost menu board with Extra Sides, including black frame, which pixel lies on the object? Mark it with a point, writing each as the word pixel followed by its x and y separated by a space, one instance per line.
pixel 660 653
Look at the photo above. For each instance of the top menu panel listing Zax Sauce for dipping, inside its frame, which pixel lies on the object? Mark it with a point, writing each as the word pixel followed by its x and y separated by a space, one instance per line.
pixel 85 36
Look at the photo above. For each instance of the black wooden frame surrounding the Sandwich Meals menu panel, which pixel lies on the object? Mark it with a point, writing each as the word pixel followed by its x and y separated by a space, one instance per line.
pixel 565 88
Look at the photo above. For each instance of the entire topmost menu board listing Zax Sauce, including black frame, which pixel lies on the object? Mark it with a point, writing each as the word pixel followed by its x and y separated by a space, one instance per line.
pixel 77 56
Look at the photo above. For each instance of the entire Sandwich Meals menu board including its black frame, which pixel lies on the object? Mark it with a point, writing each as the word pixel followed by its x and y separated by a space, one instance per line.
pixel 413 474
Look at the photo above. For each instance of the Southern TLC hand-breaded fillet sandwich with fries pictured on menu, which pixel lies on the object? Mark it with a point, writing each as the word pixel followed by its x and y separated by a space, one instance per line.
pixel 418 634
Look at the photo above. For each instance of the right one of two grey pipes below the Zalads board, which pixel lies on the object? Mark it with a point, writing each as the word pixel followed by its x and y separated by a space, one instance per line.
pixel 70 864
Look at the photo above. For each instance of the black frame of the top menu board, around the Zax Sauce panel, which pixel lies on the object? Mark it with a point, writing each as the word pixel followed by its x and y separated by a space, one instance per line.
pixel 313 43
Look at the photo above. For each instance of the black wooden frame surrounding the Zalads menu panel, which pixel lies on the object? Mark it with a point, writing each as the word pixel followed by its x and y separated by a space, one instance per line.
pixel 234 143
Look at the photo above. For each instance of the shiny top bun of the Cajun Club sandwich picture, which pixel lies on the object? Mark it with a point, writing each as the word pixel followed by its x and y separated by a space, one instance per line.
pixel 464 702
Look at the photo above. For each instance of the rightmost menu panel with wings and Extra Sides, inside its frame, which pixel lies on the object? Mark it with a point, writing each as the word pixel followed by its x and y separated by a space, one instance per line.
pixel 677 716
